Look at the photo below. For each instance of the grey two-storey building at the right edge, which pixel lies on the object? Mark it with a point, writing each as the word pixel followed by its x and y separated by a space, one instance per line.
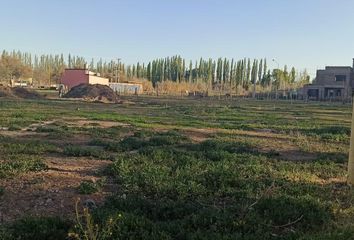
pixel 331 83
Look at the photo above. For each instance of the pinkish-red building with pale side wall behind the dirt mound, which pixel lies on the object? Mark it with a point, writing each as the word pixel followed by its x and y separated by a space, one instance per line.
pixel 74 77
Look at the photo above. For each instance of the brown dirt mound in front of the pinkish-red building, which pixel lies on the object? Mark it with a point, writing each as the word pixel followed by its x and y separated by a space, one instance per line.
pixel 95 92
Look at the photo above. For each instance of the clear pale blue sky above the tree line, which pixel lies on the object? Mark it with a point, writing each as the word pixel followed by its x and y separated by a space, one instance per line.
pixel 301 33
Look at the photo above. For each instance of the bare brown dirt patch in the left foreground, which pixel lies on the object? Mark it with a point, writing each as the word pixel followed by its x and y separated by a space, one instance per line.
pixel 52 192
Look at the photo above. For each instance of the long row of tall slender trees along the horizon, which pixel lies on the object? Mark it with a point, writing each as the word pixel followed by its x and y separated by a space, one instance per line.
pixel 226 74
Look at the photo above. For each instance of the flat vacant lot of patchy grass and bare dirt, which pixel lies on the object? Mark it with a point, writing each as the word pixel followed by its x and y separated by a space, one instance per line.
pixel 174 169
